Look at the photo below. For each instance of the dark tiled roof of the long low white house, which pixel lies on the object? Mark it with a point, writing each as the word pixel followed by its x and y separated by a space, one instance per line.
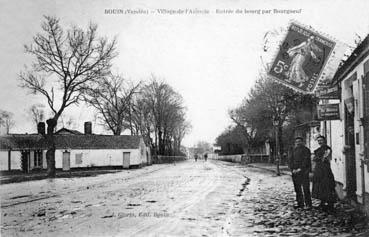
pixel 37 141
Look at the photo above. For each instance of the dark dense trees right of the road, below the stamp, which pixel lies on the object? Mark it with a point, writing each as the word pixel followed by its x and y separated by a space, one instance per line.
pixel 268 106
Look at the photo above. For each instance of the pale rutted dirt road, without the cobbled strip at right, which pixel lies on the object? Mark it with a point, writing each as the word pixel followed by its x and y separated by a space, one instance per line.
pixel 189 198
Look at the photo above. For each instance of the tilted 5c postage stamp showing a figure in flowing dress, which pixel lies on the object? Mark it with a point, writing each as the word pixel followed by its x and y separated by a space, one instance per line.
pixel 301 59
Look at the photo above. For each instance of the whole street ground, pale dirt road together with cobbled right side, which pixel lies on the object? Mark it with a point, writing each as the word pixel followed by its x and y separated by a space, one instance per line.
pixel 187 199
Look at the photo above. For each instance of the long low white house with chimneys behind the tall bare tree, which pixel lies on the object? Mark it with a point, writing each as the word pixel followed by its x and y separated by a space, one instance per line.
pixel 73 150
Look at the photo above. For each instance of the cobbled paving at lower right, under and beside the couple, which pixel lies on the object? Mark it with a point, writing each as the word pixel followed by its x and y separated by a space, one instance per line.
pixel 266 209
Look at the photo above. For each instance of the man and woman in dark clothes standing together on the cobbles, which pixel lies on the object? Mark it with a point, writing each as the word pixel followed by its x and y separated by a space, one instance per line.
pixel 322 176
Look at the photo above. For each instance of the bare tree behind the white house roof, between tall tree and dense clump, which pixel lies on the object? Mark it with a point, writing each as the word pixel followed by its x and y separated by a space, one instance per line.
pixel 112 99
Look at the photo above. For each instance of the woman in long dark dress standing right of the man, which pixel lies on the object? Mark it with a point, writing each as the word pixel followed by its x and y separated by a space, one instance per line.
pixel 323 179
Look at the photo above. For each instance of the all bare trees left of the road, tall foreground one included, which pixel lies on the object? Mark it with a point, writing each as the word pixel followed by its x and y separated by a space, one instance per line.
pixel 73 66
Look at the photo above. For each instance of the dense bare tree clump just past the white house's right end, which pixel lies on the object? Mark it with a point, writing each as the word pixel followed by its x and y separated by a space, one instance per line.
pixel 158 113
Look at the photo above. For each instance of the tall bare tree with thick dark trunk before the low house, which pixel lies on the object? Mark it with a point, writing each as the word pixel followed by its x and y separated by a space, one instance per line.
pixel 66 61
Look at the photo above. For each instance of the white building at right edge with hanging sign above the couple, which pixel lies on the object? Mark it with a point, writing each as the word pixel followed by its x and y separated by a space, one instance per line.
pixel 349 136
